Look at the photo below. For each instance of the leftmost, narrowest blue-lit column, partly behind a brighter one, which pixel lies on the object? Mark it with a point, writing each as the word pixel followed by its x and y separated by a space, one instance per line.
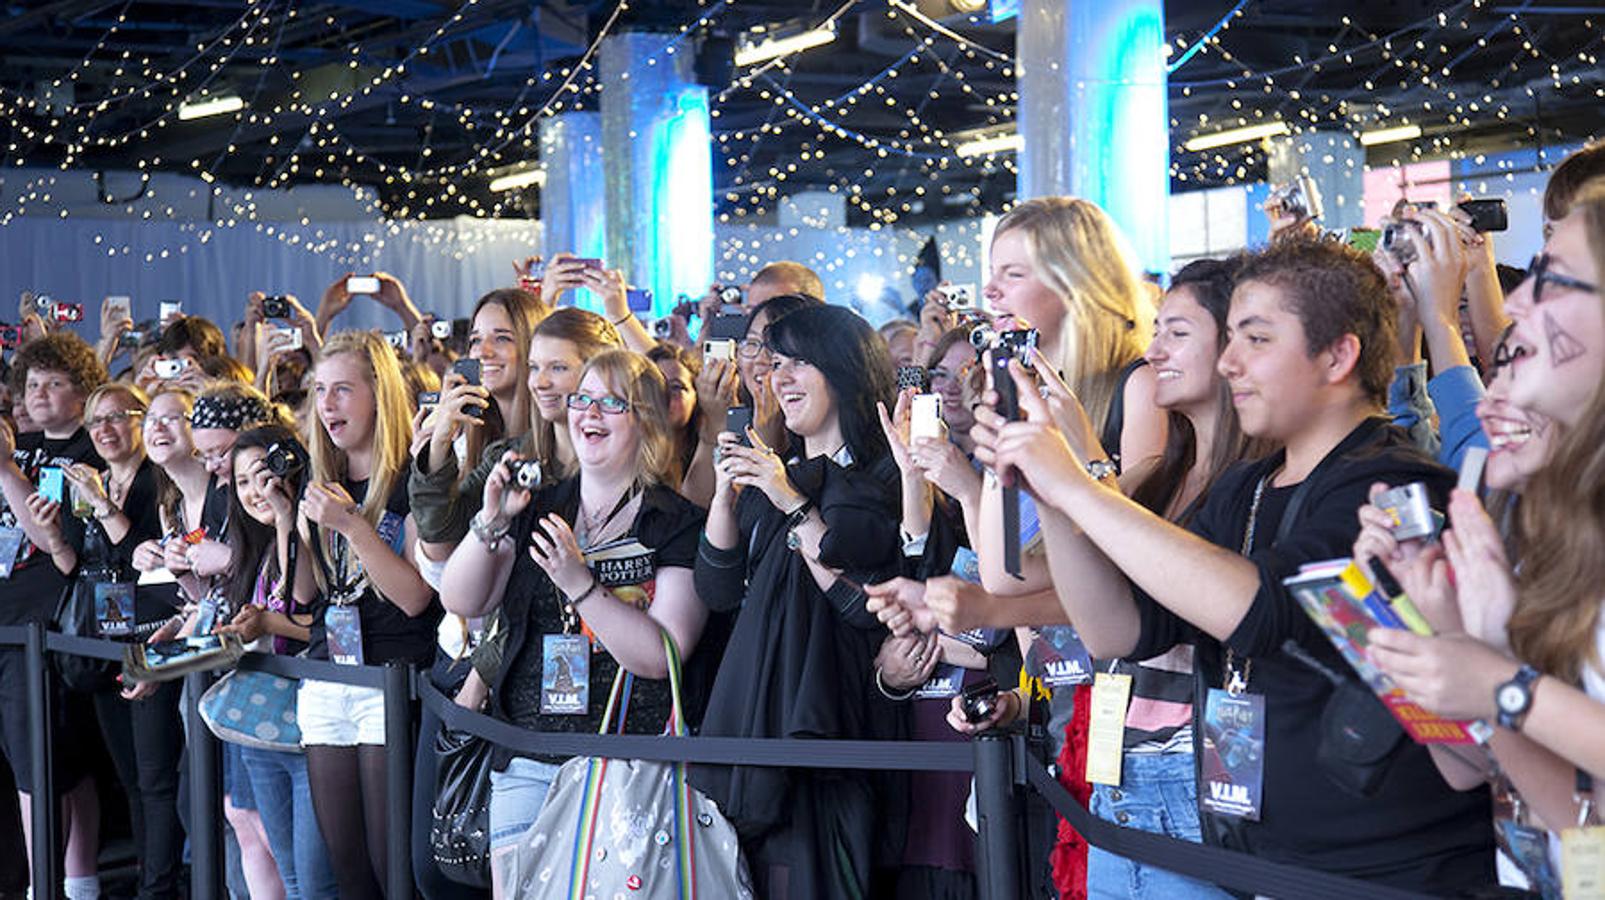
pixel 574 205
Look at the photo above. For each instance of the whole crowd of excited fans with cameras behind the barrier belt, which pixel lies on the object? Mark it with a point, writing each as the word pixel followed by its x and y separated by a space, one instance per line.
pixel 766 533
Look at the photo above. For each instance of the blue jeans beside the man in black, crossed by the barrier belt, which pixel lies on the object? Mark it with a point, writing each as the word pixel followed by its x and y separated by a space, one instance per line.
pixel 1158 795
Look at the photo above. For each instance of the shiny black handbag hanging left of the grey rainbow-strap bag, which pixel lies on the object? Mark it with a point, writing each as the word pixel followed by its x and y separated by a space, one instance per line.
pixel 460 835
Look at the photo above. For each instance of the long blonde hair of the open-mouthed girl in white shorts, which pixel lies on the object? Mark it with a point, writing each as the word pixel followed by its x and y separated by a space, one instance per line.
pixel 392 428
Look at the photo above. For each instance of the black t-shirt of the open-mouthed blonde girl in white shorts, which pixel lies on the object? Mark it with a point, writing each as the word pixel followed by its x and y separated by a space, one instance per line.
pixel 389 634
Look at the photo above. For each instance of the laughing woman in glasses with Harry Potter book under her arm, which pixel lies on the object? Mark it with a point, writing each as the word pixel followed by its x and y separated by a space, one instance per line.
pixel 530 562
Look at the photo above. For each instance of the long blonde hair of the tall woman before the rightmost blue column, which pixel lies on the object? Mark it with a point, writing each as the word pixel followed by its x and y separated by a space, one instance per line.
pixel 1079 254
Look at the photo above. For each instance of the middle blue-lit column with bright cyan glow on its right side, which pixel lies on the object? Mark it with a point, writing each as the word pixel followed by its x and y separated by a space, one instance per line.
pixel 659 158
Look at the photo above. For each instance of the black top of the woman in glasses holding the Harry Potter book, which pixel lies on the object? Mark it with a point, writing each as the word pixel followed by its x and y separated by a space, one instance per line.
pixel 664 535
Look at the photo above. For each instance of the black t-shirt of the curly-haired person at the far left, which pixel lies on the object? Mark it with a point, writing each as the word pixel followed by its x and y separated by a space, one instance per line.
pixel 35 588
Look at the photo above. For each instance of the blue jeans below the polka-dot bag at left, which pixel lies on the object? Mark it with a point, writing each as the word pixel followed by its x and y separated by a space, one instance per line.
pixel 285 805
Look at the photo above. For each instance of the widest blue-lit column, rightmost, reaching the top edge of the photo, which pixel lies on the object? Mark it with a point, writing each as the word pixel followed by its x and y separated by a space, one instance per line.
pixel 1094 113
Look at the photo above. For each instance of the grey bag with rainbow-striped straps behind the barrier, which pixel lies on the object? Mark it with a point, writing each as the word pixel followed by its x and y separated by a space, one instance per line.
pixel 628 827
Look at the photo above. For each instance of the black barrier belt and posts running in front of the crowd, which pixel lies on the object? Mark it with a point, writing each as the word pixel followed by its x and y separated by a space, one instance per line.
pixel 1229 869
